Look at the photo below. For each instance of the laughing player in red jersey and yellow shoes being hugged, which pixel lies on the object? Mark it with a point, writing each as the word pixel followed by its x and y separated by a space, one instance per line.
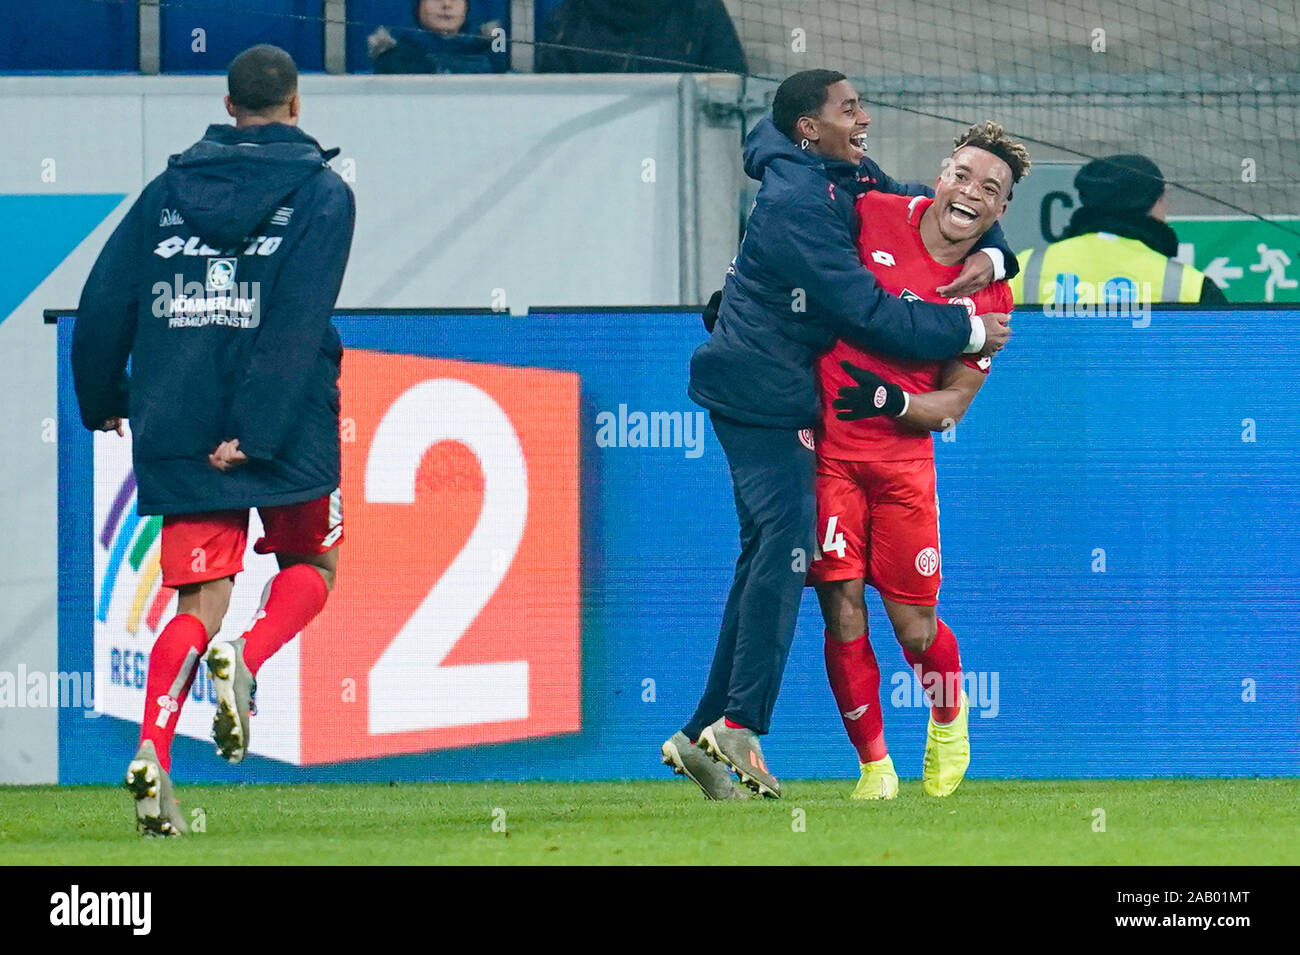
pixel 878 510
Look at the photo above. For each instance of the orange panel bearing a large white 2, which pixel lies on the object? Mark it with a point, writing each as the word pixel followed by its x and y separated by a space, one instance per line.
pixel 457 611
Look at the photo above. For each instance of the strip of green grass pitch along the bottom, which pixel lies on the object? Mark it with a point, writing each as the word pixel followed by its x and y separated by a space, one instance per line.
pixel 1038 823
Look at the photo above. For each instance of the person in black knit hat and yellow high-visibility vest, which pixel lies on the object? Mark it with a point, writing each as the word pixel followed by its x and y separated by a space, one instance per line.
pixel 1117 246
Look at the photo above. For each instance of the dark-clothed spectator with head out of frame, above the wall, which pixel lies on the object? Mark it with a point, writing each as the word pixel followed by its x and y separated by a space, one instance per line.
pixel 640 37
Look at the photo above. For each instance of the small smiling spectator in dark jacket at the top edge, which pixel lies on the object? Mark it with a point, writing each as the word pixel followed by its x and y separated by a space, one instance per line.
pixel 447 38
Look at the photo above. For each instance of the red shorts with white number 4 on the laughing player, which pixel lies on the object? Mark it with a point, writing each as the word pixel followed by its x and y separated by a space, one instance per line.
pixel 879 522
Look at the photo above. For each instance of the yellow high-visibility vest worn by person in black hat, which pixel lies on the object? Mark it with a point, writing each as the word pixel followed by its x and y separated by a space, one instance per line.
pixel 1102 267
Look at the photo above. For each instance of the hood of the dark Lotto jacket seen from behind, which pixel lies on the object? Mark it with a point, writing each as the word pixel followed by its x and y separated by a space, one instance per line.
pixel 232 180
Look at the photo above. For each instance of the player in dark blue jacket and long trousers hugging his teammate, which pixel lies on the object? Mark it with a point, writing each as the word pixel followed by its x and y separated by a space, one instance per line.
pixel 796 288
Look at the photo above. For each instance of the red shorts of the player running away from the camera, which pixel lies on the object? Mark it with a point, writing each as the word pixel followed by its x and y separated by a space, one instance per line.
pixel 210 546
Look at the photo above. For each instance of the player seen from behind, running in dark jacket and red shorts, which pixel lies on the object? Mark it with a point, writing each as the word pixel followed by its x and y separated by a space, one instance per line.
pixel 207 323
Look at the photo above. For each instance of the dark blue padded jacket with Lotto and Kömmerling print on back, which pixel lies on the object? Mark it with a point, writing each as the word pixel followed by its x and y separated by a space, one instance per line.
pixel 207 318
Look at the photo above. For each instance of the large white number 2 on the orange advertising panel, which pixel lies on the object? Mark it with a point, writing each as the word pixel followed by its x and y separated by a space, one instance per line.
pixel 410 688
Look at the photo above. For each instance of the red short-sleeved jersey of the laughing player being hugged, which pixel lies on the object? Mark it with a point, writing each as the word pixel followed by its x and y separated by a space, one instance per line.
pixel 890 245
